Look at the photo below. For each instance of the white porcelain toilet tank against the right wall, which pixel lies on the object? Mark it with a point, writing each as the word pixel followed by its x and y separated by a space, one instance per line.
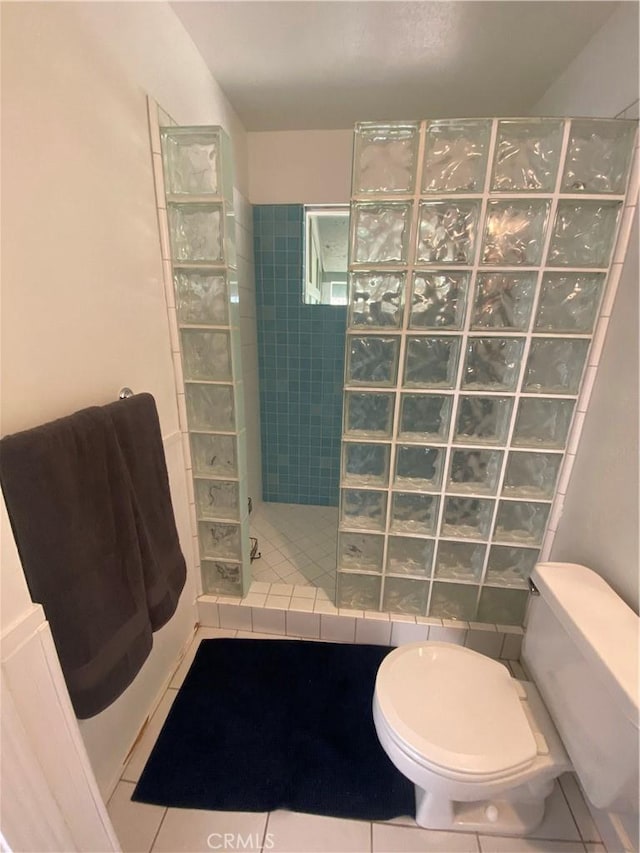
pixel 581 650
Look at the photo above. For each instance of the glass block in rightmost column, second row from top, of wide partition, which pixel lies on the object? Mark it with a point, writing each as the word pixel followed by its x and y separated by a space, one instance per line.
pixel 583 233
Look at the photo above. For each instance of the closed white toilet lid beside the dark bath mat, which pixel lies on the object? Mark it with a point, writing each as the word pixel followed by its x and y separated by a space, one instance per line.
pixel 457 709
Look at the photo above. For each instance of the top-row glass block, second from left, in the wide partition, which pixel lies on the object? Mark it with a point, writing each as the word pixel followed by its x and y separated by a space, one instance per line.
pixel 455 156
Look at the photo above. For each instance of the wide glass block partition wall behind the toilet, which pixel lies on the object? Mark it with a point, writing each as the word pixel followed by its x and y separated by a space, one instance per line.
pixel 478 262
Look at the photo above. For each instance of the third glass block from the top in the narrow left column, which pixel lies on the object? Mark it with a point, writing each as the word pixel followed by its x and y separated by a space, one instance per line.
pixel 201 298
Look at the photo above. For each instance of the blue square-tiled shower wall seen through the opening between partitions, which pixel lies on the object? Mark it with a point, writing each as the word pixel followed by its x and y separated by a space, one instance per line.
pixel 301 364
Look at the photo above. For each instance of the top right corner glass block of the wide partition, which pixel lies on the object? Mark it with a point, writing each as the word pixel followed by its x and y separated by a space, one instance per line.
pixel 599 156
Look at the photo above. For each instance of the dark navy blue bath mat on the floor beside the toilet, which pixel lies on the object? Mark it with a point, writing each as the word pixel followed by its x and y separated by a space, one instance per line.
pixel 276 724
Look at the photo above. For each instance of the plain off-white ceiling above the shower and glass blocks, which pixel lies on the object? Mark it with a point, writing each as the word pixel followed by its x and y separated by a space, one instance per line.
pixel 288 65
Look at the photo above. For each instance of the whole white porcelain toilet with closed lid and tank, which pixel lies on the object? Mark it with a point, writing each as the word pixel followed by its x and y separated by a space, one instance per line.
pixel 483 749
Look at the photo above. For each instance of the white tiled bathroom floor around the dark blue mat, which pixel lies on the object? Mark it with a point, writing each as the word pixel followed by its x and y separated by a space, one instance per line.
pixel 567 828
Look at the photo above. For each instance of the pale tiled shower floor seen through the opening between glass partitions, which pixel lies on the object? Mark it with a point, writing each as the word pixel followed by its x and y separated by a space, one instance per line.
pixel 297 543
